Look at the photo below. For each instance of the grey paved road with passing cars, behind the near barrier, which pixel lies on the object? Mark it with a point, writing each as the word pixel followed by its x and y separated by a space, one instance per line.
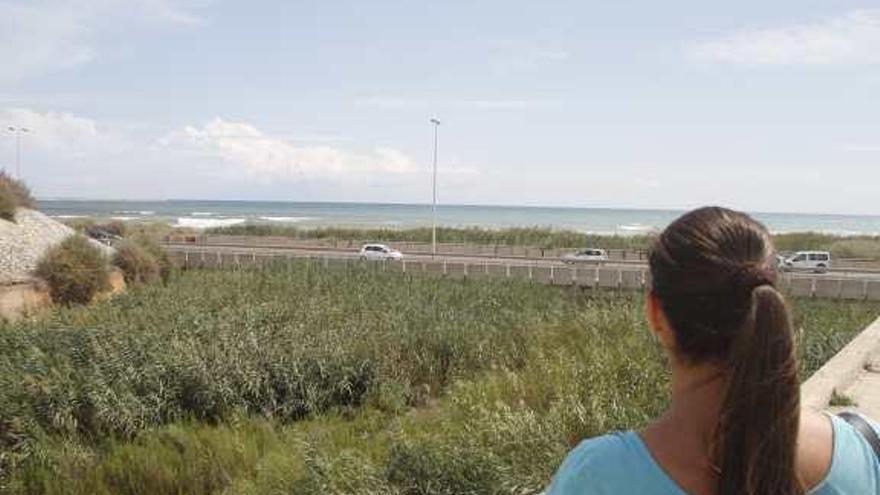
pixel 341 253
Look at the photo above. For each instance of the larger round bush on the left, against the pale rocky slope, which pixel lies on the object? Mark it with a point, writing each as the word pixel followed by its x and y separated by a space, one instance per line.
pixel 75 271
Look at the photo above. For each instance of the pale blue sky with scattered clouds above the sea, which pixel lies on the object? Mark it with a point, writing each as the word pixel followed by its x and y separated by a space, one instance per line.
pixel 763 106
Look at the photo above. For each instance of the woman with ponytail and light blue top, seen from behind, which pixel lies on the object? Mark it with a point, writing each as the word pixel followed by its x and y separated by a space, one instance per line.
pixel 734 426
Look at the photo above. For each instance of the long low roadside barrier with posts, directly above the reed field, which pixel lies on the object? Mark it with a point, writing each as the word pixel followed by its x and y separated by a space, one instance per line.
pixel 592 276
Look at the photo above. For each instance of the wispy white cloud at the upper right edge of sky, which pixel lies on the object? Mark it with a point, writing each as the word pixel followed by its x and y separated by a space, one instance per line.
pixel 852 38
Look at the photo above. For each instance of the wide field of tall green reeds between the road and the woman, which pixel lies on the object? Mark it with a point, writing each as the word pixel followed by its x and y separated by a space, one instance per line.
pixel 295 378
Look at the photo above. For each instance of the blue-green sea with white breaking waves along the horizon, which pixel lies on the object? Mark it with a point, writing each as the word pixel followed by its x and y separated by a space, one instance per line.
pixel 207 214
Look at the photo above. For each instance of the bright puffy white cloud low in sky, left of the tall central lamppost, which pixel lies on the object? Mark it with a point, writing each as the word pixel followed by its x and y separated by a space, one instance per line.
pixel 263 156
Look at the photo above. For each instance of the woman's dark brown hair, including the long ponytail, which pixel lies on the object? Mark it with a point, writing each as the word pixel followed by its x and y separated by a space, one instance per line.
pixel 713 275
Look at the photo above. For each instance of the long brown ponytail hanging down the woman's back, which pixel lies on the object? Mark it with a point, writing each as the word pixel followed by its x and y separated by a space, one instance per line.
pixel 757 432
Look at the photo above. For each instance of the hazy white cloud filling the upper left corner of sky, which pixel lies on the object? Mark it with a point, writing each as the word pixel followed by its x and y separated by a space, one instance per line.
pixel 39 38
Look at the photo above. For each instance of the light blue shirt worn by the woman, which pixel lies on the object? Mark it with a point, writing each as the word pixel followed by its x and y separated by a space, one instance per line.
pixel 620 463
